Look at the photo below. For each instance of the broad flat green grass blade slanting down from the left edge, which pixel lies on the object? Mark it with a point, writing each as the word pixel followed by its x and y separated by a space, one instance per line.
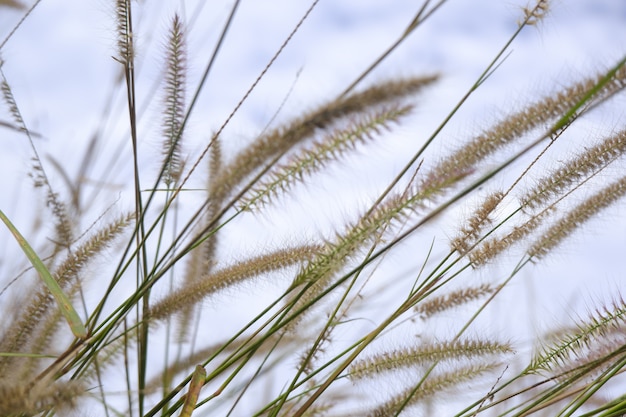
pixel 77 326
